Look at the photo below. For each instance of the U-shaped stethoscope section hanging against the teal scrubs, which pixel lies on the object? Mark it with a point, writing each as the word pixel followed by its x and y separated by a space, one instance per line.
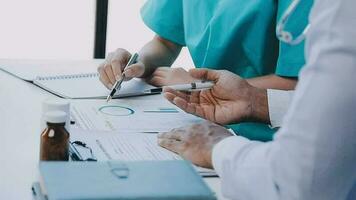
pixel 286 36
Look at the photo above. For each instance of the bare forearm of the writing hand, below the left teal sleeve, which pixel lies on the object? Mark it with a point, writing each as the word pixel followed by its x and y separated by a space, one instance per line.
pixel 158 52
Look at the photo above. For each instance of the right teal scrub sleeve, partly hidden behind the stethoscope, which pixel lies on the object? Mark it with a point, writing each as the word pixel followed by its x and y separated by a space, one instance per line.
pixel 291 57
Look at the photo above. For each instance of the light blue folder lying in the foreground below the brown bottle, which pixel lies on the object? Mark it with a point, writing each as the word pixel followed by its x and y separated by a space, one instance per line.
pixel 122 180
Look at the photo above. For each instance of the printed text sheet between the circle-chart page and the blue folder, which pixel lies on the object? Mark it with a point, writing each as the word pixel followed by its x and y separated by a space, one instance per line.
pixel 127 147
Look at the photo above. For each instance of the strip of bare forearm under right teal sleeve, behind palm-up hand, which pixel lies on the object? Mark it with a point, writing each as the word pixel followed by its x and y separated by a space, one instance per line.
pixel 273 82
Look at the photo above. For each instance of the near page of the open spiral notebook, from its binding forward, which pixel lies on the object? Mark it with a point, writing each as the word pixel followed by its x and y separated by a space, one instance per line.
pixel 88 86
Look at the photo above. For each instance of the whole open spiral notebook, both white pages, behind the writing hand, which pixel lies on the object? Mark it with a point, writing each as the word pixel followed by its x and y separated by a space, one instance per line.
pixel 69 79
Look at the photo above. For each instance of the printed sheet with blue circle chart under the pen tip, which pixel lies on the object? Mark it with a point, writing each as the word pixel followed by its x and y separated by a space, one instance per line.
pixel 130 115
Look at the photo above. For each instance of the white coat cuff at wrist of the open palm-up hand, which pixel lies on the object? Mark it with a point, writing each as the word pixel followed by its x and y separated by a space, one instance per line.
pixel 278 104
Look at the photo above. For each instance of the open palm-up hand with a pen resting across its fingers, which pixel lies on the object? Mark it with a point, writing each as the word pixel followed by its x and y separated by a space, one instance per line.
pixel 231 99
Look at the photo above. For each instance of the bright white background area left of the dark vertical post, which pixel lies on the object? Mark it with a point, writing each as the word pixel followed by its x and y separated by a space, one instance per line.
pixel 46 29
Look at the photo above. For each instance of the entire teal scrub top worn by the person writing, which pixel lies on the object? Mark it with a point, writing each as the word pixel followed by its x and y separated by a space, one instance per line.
pixel 235 35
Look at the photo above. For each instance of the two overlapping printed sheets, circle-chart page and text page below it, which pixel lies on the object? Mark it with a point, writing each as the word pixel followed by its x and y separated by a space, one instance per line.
pixel 126 129
